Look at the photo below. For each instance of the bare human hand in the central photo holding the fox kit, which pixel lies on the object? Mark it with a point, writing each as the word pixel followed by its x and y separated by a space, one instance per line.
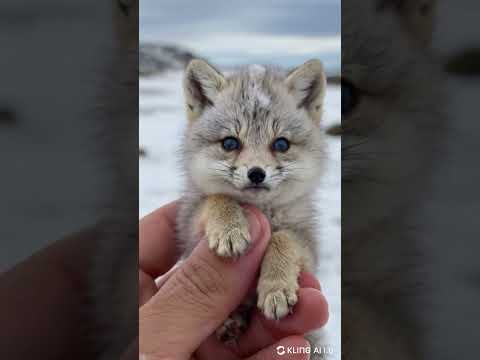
pixel 179 314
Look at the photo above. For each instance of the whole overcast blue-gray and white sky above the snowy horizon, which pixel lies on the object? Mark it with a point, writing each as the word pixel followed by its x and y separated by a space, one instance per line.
pixel 232 32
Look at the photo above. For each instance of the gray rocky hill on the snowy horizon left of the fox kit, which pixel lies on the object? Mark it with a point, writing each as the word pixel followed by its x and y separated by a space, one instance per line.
pixel 156 58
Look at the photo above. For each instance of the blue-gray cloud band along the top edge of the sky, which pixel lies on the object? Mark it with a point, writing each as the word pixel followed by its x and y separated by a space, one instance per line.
pixel 299 17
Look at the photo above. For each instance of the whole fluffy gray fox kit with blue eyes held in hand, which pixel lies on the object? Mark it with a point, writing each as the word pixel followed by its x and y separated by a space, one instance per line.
pixel 254 137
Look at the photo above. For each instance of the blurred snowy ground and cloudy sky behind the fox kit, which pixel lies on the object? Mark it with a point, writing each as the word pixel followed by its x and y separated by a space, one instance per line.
pixel 229 34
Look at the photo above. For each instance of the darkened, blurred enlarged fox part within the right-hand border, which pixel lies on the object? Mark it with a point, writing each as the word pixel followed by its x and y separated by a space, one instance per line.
pixel 392 130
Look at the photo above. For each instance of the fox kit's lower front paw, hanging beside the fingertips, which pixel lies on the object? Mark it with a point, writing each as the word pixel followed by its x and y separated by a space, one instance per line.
pixel 277 300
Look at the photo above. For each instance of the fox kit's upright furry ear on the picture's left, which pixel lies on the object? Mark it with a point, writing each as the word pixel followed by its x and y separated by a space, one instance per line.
pixel 201 85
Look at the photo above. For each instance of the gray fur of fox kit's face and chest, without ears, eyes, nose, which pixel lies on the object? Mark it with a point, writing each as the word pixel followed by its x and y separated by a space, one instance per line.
pixel 255 105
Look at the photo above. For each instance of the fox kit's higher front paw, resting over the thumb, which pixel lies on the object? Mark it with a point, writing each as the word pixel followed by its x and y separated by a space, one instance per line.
pixel 230 239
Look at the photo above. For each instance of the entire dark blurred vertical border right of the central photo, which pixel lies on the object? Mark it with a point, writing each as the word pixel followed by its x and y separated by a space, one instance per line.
pixel 410 274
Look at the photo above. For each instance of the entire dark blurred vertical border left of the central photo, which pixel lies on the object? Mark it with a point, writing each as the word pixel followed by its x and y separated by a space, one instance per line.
pixel 69 178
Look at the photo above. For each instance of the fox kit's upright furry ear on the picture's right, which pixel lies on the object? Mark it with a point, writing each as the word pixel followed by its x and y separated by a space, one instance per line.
pixel 307 84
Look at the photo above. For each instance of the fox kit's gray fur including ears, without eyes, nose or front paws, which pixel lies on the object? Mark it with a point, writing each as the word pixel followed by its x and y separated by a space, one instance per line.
pixel 256 105
